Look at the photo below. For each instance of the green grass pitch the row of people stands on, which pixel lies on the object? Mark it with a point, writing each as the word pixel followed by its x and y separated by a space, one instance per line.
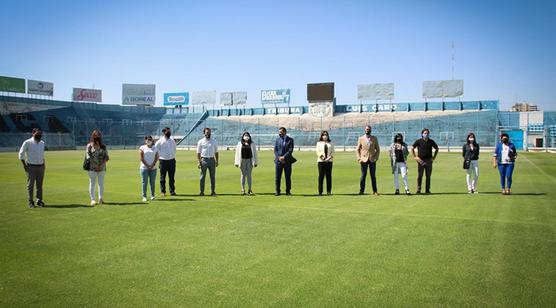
pixel 446 249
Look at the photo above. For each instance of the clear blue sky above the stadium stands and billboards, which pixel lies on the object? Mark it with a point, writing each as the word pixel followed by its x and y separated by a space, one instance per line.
pixel 503 49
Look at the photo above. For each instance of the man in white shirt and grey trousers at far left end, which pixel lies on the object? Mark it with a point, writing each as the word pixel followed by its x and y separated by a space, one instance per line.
pixel 31 155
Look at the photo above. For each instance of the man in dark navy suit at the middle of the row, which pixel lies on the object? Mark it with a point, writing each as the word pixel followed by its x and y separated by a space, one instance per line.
pixel 283 159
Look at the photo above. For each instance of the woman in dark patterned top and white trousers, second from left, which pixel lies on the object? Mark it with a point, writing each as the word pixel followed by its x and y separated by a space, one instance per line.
pixel 98 155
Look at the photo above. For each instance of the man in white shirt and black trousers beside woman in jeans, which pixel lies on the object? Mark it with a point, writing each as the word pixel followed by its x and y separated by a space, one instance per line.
pixel 167 156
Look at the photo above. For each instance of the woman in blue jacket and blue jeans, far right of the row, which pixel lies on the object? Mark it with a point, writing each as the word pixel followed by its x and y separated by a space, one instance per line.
pixel 504 157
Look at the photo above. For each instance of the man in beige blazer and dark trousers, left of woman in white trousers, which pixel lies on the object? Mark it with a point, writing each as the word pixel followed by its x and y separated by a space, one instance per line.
pixel 368 152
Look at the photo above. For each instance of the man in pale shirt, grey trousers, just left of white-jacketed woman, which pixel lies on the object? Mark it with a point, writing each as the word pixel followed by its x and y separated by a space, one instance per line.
pixel 207 158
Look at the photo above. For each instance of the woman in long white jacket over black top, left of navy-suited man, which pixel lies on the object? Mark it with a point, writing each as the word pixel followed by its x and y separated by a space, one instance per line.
pixel 246 160
